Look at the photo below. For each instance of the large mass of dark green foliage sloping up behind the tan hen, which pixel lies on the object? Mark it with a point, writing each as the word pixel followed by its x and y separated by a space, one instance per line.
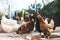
pixel 52 10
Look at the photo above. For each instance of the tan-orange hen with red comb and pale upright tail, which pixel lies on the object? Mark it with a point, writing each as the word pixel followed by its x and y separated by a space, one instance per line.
pixel 44 26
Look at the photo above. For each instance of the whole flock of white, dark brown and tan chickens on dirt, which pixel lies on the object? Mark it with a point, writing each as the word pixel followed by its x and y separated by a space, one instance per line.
pixel 42 25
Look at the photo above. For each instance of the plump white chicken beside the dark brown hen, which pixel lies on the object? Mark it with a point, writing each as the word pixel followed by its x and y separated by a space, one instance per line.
pixel 9 25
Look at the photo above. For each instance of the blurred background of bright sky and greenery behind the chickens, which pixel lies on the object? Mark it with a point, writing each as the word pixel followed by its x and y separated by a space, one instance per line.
pixel 22 8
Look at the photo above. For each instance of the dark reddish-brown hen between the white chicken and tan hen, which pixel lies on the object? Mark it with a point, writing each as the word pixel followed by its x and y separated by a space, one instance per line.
pixel 28 26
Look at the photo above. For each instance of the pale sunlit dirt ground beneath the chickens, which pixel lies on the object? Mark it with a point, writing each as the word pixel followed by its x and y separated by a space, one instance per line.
pixel 13 36
